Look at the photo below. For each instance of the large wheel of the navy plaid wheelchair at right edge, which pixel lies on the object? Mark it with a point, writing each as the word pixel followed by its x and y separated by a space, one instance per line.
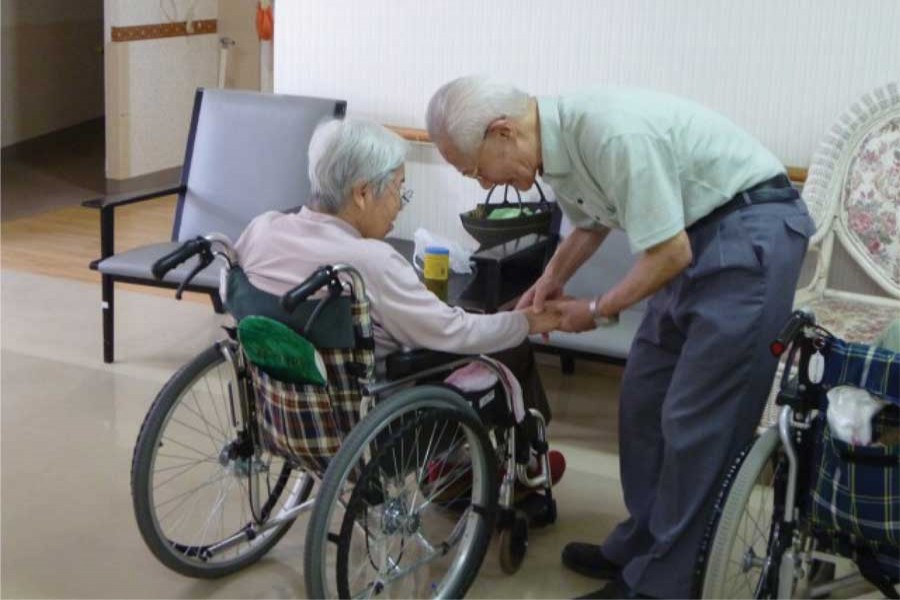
pixel 745 543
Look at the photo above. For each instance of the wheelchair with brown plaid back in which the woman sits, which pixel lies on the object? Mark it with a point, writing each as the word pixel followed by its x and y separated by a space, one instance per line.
pixel 411 475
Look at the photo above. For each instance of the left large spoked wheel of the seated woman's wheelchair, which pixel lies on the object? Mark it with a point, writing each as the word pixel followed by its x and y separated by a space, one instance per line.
pixel 203 490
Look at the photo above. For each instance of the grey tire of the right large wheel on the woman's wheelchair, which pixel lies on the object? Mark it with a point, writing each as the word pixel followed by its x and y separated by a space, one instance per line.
pixel 378 423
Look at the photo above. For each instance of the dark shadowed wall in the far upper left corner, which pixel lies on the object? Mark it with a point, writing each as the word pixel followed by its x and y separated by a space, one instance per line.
pixel 52 68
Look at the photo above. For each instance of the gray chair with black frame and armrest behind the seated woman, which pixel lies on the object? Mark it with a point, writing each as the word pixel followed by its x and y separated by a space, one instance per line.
pixel 246 154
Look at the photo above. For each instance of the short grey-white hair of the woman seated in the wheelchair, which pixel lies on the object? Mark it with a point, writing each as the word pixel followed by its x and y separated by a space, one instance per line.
pixel 348 152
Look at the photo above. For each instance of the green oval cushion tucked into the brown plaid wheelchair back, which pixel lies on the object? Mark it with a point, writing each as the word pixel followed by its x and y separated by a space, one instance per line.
pixel 280 351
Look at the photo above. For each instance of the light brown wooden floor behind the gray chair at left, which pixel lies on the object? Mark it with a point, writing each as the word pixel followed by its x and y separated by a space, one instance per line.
pixel 61 243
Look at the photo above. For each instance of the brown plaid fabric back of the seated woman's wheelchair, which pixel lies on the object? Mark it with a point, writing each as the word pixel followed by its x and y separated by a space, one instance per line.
pixel 307 423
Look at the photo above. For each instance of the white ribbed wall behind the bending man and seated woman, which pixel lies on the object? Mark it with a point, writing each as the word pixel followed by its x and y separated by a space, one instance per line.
pixel 783 70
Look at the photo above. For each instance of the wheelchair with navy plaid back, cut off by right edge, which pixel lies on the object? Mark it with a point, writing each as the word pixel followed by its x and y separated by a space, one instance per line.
pixel 797 499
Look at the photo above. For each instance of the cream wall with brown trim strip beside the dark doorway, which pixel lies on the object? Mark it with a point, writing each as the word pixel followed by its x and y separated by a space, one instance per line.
pixel 150 85
